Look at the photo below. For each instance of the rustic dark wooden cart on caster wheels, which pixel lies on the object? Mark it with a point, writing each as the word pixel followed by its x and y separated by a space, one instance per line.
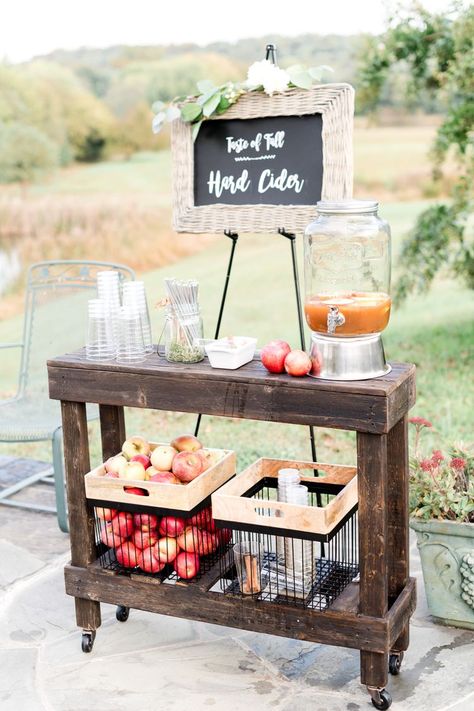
pixel 372 615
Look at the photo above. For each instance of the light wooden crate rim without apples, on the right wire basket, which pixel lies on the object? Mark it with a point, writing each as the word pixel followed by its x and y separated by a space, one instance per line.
pixel 233 503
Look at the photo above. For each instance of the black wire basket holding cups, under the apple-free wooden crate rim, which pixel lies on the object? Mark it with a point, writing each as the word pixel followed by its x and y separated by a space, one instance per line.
pixel 290 567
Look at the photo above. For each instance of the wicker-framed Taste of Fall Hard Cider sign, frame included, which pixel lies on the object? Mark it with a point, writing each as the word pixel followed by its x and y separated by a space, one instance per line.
pixel 265 163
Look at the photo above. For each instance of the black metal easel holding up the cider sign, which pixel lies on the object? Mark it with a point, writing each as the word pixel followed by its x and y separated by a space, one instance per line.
pixel 270 54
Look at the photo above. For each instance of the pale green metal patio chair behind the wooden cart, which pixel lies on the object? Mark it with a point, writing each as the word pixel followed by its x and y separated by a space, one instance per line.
pixel 54 323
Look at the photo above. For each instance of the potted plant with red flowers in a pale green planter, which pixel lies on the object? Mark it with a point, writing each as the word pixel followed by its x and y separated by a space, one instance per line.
pixel 442 511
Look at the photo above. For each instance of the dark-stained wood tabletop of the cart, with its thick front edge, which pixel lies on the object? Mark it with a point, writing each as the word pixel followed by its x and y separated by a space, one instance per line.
pixel 249 392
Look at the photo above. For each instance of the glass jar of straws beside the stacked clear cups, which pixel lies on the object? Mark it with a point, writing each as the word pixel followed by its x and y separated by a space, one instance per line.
pixel 183 326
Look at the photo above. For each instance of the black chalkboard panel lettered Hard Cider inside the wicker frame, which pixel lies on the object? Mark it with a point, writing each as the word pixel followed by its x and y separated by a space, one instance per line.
pixel 276 160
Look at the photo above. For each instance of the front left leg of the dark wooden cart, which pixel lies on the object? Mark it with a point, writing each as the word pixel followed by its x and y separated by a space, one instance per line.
pixel 81 518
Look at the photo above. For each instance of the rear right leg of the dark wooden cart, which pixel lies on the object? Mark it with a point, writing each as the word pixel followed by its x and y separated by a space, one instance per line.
pixel 398 512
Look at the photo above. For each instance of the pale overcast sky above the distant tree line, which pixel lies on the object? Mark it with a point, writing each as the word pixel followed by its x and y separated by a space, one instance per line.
pixel 31 27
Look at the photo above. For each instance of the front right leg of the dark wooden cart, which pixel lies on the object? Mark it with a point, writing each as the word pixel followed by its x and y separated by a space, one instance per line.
pixel 372 484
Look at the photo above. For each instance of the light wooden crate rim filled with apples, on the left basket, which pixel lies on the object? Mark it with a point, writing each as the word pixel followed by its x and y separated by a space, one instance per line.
pixel 170 496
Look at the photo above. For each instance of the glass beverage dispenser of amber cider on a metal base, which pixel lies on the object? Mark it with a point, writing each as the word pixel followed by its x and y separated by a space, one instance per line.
pixel 347 278
